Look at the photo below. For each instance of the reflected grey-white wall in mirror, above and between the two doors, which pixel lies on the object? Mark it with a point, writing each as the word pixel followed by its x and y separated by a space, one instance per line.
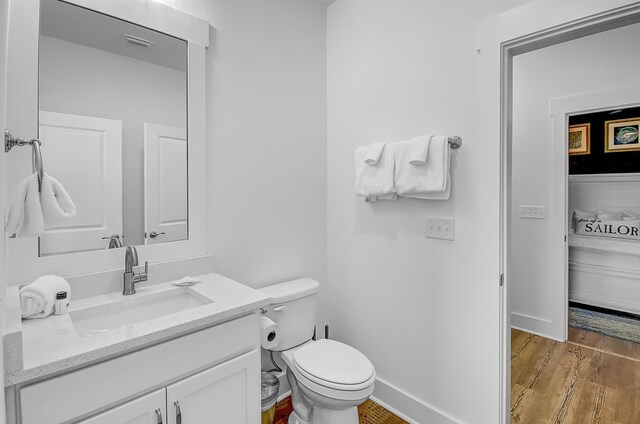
pixel 81 80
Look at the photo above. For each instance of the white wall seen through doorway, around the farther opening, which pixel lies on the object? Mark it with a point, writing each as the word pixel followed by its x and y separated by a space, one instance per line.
pixel 595 63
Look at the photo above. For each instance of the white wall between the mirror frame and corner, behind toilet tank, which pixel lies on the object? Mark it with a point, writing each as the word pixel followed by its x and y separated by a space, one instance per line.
pixel 266 132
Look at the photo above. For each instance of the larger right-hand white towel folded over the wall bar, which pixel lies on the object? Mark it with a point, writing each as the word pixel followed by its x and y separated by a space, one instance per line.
pixel 425 181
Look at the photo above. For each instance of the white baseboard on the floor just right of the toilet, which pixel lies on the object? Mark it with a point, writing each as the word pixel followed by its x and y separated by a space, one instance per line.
pixel 407 406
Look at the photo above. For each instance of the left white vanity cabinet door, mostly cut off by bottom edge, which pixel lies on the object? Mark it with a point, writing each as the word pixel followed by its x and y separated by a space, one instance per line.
pixel 148 409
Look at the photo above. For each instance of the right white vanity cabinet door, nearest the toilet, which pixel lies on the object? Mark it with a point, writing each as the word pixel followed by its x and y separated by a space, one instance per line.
pixel 228 393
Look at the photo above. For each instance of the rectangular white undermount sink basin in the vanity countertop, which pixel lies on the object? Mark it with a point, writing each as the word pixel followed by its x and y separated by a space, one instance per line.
pixel 131 310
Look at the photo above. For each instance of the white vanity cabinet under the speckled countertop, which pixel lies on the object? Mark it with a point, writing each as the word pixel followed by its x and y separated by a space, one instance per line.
pixel 208 376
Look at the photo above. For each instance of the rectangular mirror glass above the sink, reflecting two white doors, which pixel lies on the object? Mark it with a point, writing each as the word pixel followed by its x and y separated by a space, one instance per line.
pixel 113 127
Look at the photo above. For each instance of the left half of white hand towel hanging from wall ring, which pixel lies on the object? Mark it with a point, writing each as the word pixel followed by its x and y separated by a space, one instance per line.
pixel 25 213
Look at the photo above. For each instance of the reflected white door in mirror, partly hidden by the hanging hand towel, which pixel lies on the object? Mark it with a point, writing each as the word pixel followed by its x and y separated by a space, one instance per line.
pixel 92 175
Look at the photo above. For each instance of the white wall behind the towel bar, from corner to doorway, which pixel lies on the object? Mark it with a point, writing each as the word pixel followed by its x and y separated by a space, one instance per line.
pixel 420 309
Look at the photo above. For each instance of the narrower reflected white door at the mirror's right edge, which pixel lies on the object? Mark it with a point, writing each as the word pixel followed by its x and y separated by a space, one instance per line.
pixel 165 166
